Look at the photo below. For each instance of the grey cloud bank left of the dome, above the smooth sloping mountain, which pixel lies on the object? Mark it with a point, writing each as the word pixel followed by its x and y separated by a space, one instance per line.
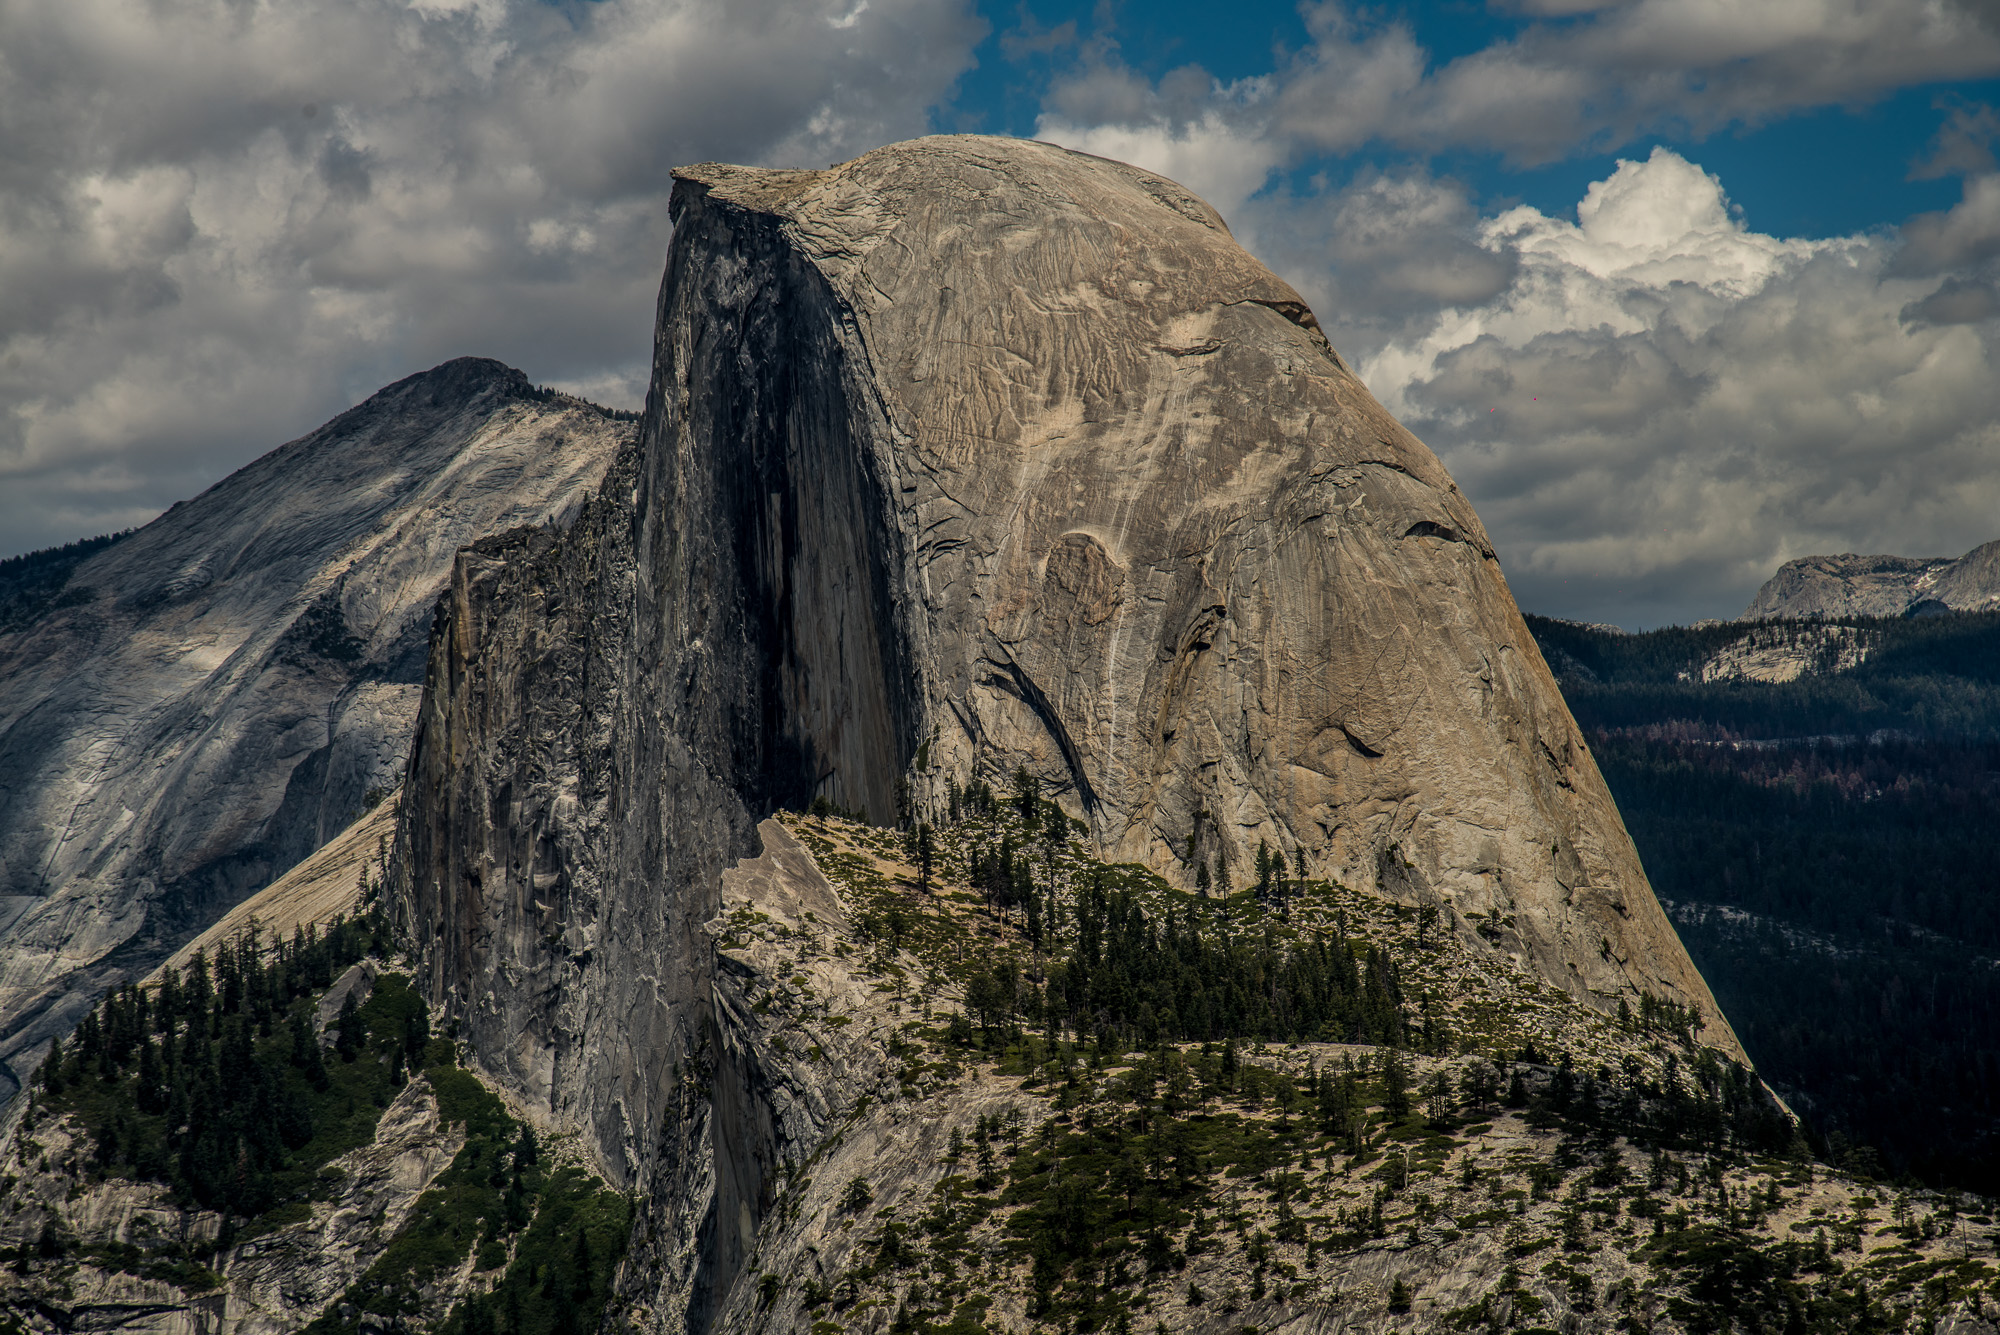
pixel 223 223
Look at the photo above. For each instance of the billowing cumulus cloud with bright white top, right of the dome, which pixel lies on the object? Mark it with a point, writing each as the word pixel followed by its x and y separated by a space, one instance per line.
pixel 1665 405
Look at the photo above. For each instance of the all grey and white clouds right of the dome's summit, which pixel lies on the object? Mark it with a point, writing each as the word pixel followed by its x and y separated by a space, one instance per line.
pixel 1651 405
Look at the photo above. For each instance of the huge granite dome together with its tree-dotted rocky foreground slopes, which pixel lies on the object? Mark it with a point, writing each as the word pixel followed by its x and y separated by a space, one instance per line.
pixel 1015 802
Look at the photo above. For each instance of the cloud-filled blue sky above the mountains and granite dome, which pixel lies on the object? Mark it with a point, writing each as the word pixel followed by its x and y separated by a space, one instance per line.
pixel 1677 289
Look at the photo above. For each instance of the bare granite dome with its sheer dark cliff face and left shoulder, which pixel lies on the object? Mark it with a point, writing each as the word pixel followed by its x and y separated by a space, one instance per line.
pixel 959 459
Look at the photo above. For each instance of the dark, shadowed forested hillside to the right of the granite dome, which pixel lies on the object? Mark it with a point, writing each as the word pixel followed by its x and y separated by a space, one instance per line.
pixel 1827 852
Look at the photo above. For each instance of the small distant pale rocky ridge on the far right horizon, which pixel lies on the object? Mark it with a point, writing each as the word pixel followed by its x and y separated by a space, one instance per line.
pixel 1835 587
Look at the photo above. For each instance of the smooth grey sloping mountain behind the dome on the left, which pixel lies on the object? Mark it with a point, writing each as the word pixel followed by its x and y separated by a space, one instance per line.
pixel 215 696
